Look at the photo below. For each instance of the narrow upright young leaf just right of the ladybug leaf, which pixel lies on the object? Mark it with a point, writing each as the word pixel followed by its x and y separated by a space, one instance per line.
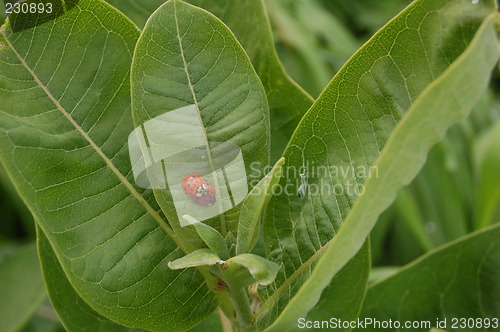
pixel 251 209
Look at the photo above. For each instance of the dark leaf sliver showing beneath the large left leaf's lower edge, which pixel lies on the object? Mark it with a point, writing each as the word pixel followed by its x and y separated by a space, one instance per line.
pixel 75 314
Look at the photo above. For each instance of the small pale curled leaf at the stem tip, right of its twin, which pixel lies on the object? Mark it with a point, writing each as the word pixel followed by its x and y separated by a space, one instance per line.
pixel 262 270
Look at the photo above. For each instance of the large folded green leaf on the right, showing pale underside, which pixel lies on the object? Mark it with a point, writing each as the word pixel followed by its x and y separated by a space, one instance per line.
pixel 434 59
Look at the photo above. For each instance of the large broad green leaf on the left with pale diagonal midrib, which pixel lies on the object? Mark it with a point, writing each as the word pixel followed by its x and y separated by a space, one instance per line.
pixel 64 123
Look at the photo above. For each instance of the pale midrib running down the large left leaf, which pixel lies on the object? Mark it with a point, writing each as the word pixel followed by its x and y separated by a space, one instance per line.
pixel 97 149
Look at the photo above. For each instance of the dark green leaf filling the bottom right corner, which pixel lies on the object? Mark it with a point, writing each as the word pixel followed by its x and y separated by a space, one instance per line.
pixel 457 280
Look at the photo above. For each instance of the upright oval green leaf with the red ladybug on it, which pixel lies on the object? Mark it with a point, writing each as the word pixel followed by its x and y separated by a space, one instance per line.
pixel 196 95
